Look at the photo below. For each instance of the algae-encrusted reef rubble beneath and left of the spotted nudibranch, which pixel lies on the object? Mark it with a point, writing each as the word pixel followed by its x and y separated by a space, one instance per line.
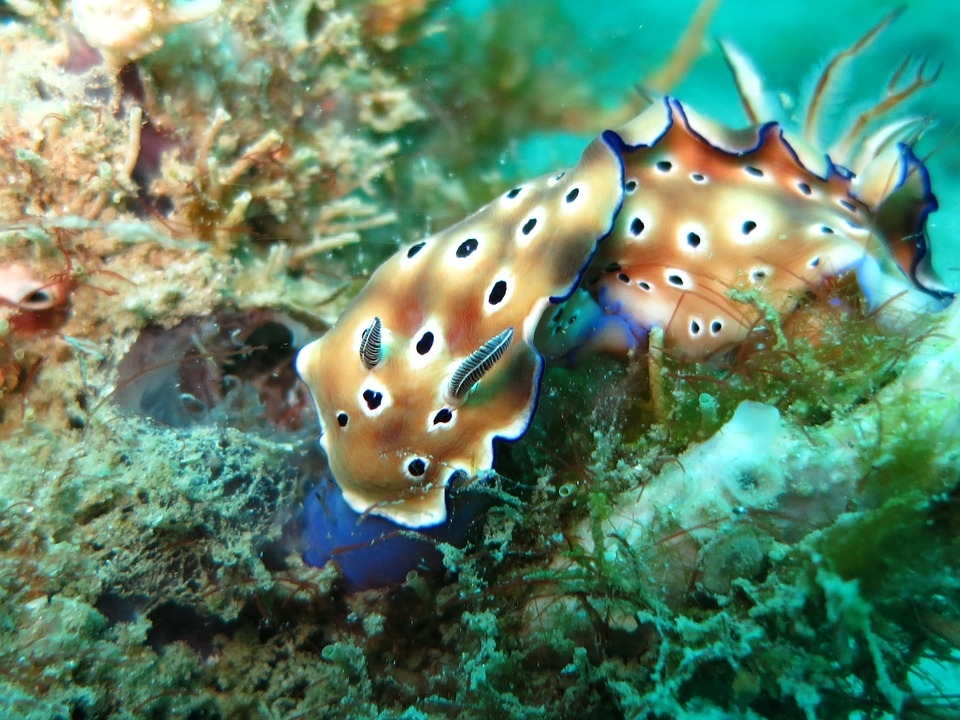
pixel 185 206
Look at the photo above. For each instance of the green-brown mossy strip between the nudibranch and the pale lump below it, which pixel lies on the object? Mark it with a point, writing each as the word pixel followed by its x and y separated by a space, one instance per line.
pixel 619 423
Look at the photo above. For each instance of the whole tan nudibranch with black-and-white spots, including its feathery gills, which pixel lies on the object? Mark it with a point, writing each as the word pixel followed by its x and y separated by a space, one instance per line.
pixel 660 225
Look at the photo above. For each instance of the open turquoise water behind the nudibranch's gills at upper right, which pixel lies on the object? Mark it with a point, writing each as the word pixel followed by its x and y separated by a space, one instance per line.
pixel 617 44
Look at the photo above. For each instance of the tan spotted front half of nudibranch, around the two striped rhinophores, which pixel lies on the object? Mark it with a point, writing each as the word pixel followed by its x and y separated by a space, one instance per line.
pixel 437 291
